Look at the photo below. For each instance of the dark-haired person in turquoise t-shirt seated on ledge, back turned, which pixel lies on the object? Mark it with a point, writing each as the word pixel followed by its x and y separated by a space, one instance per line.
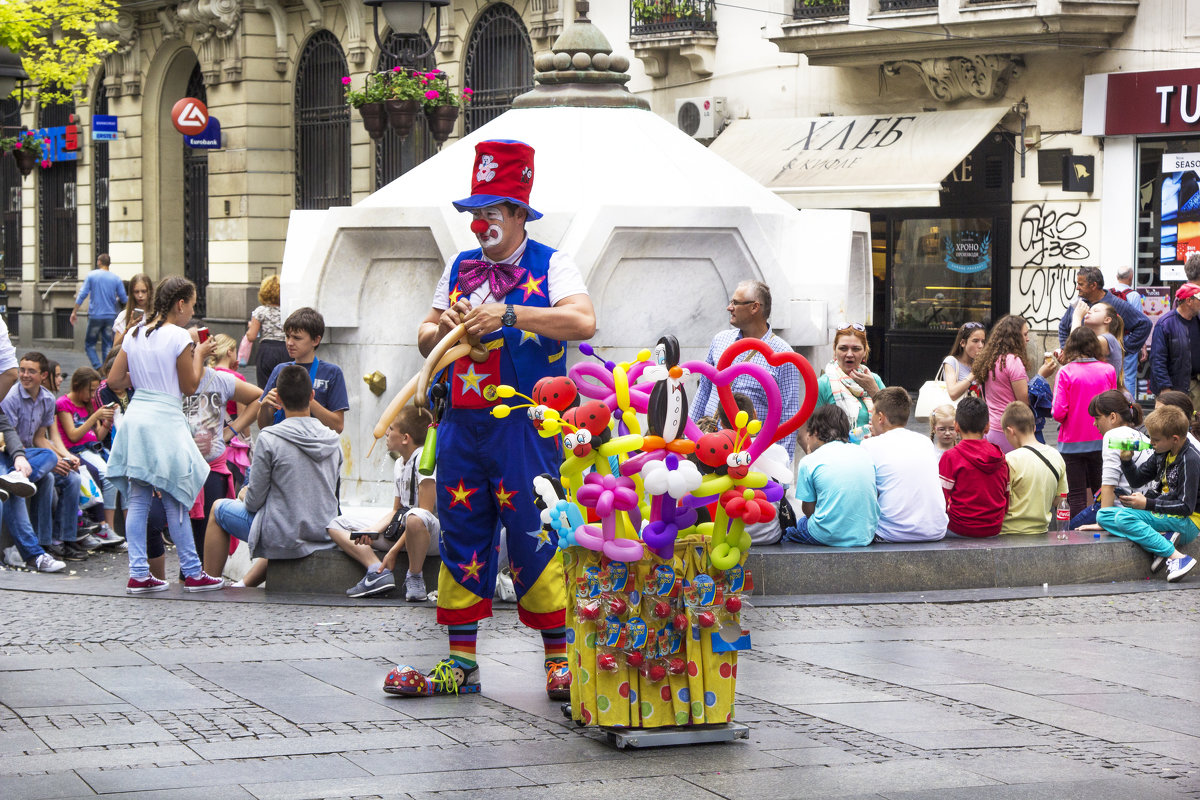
pixel 836 486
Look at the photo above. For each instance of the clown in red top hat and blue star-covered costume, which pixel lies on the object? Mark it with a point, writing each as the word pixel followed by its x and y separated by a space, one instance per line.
pixel 521 300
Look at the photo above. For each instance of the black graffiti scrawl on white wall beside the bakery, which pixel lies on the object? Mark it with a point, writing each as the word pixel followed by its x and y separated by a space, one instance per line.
pixel 1052 240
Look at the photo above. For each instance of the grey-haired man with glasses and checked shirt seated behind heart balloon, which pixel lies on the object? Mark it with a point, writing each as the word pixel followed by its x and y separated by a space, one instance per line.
pixel 749 315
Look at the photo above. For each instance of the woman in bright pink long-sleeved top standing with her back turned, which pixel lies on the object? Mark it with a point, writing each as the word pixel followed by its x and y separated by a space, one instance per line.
pixel 1082 378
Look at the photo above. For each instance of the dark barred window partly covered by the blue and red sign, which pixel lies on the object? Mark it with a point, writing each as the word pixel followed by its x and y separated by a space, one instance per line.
pixel 58 220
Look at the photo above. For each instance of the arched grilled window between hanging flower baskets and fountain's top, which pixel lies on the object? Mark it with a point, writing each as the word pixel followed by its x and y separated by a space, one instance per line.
pixel 500 64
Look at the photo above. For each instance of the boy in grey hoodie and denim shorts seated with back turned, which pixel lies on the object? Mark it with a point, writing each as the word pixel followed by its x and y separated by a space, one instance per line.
pixel 292 494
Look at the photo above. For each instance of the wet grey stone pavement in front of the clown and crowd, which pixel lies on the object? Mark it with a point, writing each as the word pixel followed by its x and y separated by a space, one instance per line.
pixel 236 696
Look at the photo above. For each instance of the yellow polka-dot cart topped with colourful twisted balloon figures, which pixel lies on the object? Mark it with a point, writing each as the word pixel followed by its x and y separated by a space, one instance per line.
pixel 655 592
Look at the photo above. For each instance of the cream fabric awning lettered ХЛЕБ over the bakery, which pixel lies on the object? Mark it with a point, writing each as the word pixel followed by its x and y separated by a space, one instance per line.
pixel 856 163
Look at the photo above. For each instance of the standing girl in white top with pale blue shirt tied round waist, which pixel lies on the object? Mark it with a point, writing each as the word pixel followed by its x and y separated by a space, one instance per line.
pixel 154 448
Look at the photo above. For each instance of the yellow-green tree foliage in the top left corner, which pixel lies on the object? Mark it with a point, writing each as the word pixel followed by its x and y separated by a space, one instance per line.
pixel 59 41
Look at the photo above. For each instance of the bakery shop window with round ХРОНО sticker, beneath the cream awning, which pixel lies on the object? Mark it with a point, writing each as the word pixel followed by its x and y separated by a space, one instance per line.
pixel 941 273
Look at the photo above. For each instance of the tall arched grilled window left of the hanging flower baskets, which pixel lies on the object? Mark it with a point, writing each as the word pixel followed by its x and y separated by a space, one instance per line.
pixel 323 125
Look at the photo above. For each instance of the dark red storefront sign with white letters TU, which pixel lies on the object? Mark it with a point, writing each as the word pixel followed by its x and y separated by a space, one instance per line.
pixel 1163 101
